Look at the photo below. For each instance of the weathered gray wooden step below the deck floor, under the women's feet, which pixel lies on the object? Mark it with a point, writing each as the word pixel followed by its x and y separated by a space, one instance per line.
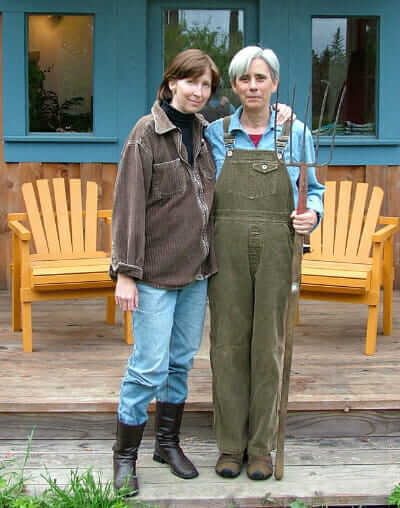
pixel 320 470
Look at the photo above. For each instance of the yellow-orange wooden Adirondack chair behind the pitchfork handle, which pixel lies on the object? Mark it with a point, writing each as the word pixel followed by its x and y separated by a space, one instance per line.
pixel 340 266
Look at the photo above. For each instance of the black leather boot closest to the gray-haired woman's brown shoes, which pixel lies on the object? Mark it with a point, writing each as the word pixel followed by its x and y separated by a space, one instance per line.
pixel 168 451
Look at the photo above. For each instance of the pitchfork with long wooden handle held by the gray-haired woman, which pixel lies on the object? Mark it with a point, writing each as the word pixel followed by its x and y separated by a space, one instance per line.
pixel 297 256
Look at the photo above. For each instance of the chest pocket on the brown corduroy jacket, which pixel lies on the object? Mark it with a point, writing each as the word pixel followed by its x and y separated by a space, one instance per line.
pixel 169 178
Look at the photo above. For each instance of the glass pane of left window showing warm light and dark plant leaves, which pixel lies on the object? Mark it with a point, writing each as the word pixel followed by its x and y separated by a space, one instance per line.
pixel 60 62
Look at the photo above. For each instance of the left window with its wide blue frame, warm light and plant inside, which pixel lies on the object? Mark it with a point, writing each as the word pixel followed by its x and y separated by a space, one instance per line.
pixel 60 81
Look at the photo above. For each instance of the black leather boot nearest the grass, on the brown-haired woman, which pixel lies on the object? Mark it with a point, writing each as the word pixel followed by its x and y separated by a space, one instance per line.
pixel 125 451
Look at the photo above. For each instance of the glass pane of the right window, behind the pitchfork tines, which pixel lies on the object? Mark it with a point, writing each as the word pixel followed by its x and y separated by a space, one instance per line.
pixel 344 51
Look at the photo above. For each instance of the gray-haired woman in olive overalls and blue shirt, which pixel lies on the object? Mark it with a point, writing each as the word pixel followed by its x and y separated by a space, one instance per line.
pixel 255 196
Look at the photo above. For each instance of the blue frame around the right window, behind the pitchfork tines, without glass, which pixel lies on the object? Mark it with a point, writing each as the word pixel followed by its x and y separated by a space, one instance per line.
pixel 300 39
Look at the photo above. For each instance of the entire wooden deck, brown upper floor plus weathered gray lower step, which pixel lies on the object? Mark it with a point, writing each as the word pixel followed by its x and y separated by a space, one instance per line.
pixel 343 445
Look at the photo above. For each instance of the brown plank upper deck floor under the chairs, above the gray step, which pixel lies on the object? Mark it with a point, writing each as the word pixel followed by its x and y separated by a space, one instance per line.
pixel 71 343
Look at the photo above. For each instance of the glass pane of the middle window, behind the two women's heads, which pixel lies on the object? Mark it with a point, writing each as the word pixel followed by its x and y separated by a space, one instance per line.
pixel 220 34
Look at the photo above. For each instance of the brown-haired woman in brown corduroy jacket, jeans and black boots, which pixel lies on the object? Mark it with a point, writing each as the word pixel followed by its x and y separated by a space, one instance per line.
pixel 162 256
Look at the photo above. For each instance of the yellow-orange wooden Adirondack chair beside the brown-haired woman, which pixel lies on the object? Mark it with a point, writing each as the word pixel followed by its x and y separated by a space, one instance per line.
pixel 66 263
